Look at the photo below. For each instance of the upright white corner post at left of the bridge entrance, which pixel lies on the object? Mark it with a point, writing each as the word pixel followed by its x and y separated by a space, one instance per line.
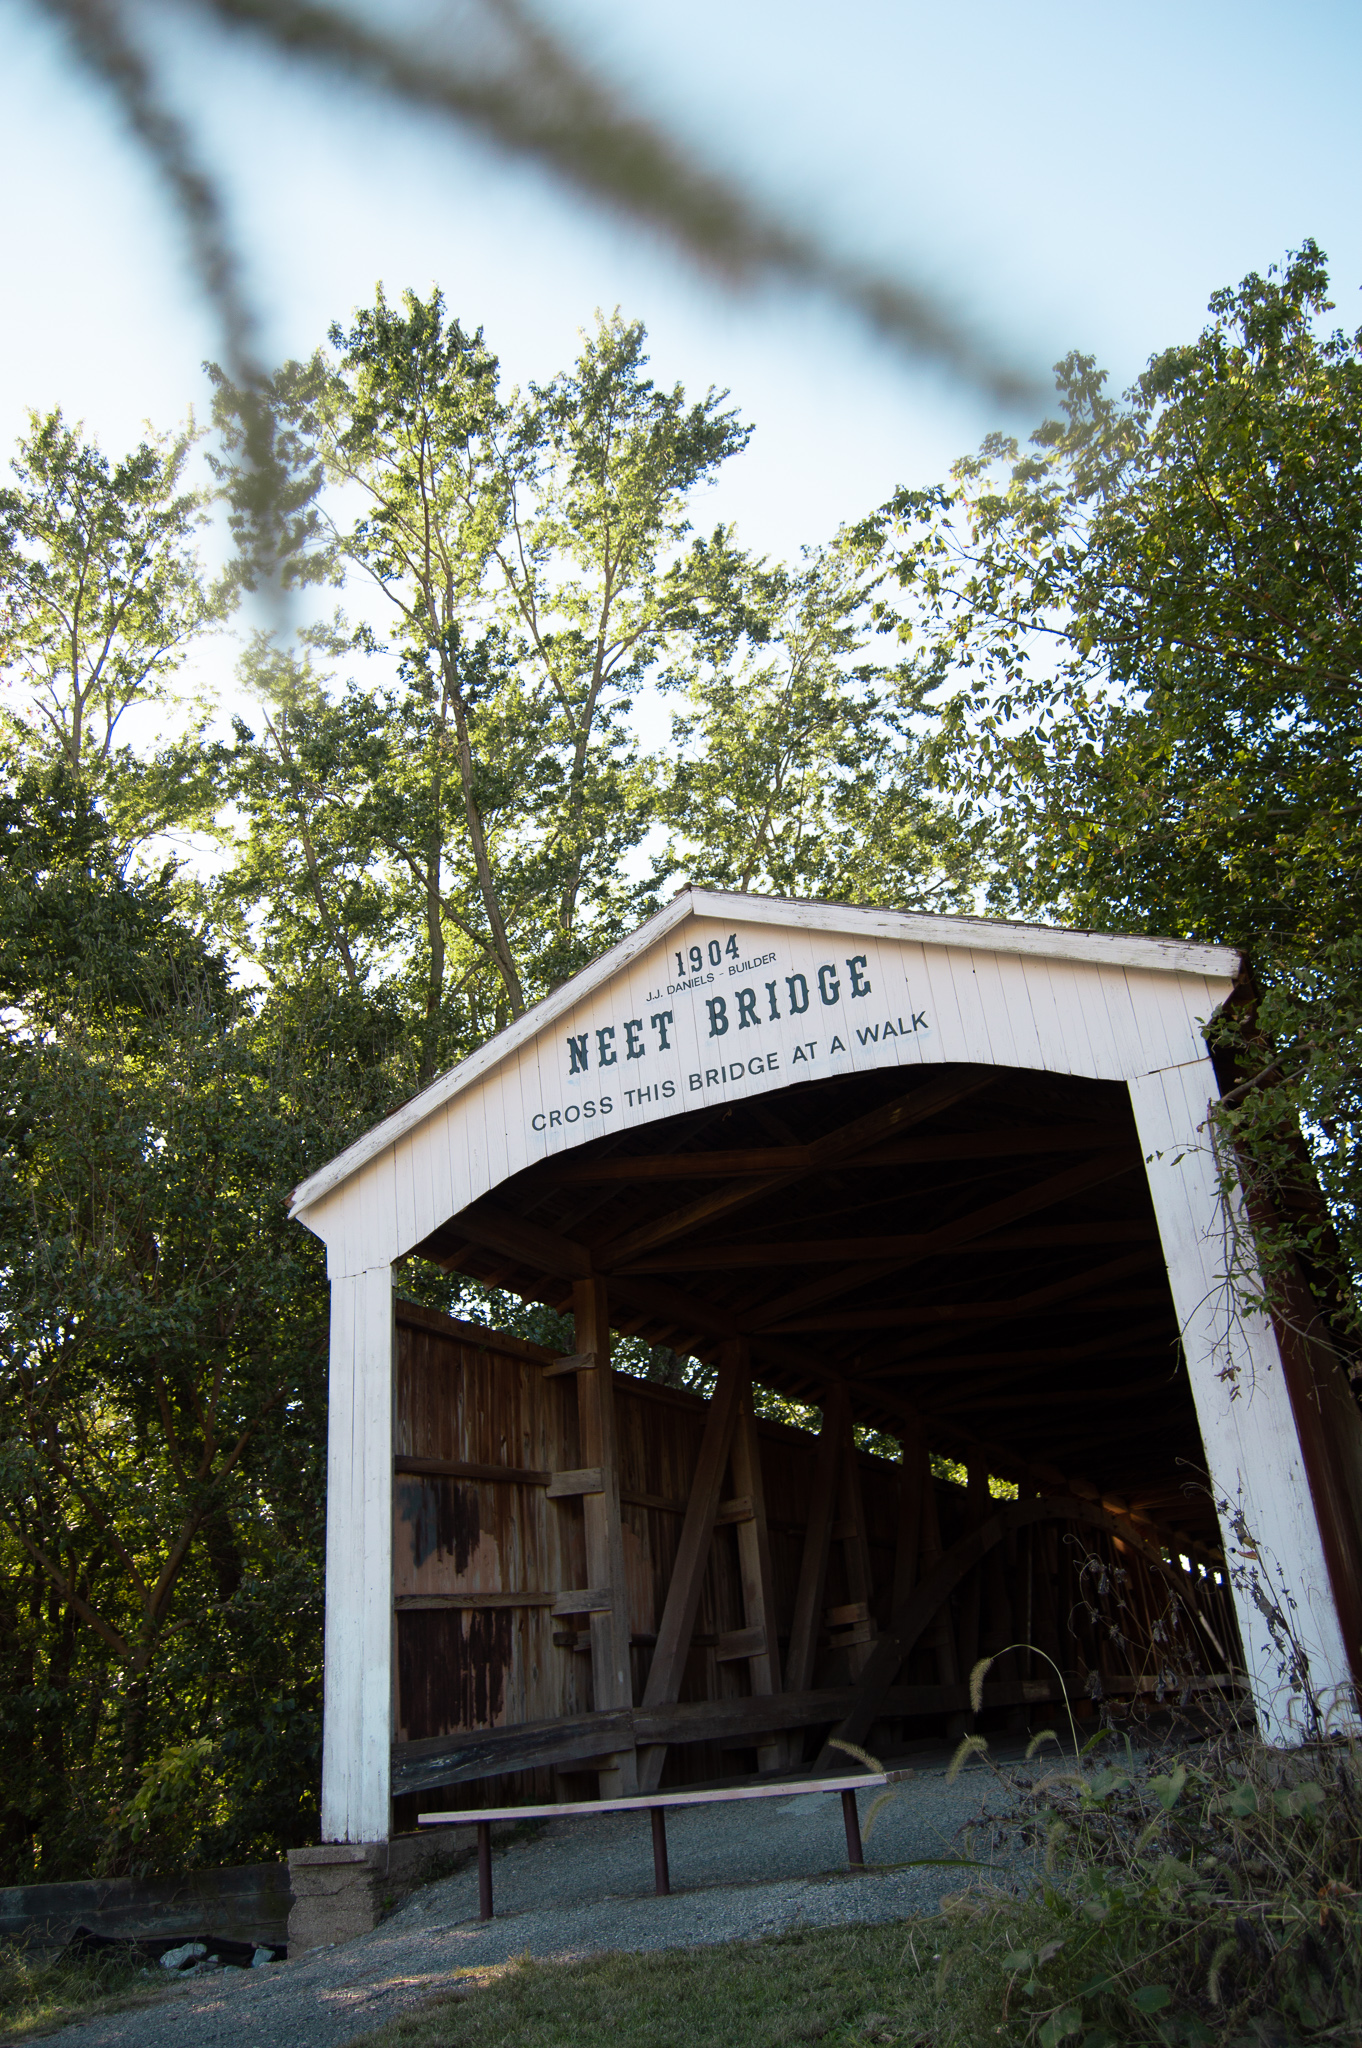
pixel 357 1713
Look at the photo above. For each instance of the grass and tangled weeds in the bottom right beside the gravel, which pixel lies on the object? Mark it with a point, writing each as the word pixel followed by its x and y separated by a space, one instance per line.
pixel 1216 1904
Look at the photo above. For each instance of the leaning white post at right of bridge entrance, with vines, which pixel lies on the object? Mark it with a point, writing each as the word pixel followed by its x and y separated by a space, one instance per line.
pixel 1246 1418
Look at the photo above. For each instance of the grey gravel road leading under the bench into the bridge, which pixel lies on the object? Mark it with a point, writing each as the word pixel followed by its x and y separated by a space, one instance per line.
pixel 577 1889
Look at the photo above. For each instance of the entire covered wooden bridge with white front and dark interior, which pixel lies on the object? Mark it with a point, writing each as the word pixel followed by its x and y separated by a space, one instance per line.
pixel 937 1179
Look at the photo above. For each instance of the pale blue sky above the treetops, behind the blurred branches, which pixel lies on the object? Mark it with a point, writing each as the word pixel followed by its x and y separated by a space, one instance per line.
pixel 1060 175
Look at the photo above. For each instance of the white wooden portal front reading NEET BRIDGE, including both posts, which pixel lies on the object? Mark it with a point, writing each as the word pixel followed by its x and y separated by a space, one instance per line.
pixel 728 996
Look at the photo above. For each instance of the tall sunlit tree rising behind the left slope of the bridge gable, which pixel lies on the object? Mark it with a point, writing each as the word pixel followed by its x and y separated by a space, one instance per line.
pixel 529 552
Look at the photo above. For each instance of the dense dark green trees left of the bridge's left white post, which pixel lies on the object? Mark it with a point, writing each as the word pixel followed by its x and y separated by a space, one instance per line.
pixel 163 1363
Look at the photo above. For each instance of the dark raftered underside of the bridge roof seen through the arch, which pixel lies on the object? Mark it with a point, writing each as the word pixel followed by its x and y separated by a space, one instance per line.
pixel 970 1252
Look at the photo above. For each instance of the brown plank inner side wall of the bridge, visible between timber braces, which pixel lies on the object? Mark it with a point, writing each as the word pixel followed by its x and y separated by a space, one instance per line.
pixel 484 1549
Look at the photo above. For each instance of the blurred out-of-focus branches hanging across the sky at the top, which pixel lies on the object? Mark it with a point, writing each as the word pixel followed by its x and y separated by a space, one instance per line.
pixel 507 79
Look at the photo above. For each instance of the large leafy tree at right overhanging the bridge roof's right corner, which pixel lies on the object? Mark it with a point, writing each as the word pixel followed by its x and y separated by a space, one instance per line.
pixel 1148 638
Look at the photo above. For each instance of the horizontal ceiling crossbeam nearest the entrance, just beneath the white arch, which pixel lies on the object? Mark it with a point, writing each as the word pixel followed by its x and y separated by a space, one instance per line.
pixel 775 1160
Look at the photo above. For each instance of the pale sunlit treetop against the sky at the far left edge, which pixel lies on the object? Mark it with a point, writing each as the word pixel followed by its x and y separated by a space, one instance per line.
pixel 101 589
